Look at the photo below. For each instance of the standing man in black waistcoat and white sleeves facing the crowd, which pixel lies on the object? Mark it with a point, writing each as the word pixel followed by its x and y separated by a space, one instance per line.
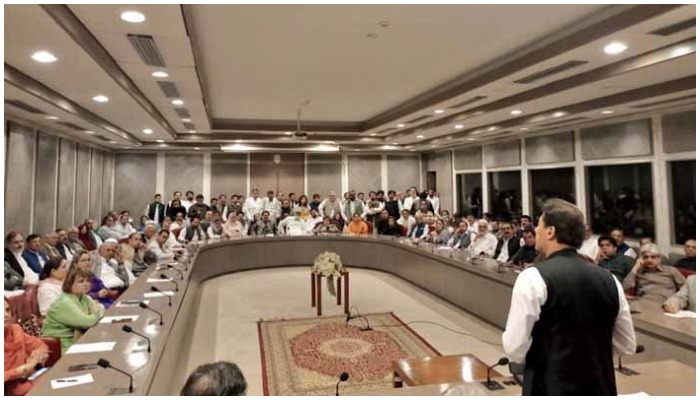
pixel 567 315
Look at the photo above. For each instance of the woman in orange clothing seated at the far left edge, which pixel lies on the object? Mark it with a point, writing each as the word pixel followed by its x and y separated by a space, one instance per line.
pixel 23 353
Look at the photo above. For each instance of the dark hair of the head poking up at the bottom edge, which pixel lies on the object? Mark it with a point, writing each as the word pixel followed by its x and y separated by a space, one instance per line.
pixel 215 379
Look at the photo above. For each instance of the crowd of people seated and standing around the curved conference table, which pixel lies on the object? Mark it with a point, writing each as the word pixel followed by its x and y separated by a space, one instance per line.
pixel 80 271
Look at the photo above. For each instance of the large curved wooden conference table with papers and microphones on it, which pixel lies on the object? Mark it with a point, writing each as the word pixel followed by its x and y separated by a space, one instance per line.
pixel 474 286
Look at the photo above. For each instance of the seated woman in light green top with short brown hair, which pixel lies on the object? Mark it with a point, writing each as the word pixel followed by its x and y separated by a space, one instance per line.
pixel 74 311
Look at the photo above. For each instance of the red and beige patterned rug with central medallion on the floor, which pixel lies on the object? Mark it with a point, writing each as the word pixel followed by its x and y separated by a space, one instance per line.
pixel 305 357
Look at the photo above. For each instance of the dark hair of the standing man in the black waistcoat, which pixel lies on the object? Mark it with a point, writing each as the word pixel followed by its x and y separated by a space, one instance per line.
pixel 567 221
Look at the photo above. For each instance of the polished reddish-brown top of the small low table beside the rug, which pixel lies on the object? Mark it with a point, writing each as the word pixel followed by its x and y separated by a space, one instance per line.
pixel 441 369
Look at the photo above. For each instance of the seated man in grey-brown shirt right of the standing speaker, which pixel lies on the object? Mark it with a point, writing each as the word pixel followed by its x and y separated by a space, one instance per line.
pixel 650 279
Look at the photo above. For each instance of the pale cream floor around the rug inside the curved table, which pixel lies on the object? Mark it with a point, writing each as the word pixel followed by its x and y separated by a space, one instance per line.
pixel 231 305
